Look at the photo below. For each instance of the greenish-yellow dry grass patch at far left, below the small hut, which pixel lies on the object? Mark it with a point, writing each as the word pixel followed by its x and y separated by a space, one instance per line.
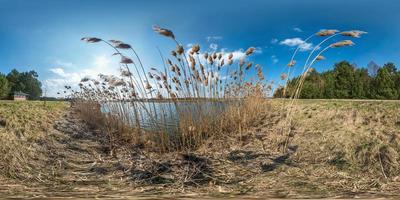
pixel 24 125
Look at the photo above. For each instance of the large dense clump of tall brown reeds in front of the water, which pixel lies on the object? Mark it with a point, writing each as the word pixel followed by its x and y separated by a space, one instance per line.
pixel 207 91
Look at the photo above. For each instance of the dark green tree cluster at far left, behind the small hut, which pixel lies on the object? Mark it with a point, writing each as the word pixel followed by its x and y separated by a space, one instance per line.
pixel 16 81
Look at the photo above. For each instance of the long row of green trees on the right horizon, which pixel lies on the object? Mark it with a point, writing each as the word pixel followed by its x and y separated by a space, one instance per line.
pixel 346 81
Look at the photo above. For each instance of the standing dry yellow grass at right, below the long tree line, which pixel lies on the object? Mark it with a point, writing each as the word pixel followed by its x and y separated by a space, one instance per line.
pixel 359 136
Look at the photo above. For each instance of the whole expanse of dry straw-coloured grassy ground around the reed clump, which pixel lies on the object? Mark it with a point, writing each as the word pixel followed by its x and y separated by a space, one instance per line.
pixel 339 148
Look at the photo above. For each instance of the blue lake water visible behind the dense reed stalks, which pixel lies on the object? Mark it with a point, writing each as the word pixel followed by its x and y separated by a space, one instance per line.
pixel 164 115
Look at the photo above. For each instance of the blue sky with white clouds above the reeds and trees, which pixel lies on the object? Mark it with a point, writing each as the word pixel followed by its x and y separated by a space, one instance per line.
pixel 44 35
